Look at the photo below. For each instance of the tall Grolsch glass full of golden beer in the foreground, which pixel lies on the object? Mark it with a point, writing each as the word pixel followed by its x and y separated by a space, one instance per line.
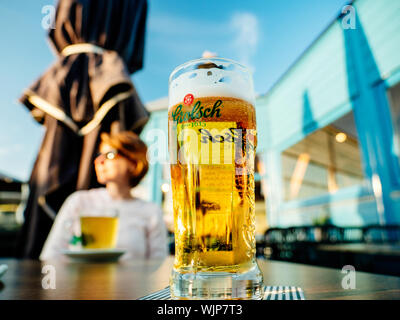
pixel 212 142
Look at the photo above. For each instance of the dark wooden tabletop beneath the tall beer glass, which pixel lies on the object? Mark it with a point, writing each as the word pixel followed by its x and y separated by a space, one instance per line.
pixel 133 279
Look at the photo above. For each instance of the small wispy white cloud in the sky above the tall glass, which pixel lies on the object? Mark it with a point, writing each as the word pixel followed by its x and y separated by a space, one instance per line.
pixel 246 27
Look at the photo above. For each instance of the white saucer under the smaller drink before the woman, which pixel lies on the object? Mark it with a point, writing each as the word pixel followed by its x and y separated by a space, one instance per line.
pixel 97 255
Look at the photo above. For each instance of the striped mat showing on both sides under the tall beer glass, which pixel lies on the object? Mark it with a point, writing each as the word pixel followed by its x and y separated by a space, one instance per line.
pixel 270 293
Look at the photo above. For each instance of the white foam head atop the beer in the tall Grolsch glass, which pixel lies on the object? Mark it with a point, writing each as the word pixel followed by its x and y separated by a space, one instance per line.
pixel 228 79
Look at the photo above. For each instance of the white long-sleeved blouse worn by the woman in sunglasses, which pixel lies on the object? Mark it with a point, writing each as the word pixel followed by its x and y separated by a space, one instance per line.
pixel 141 232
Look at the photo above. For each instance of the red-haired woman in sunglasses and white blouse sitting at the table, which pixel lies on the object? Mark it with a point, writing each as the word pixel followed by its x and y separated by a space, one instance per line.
pixel 120 166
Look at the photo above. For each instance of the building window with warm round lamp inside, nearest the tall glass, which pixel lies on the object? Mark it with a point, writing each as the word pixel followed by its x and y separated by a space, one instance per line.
pixel 323 162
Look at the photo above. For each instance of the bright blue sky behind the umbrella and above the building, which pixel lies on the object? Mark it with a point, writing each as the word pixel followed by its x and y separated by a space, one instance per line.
pixel 266 35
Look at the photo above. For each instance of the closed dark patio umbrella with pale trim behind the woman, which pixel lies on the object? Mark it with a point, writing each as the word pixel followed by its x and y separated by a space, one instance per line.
pixel 87 91
